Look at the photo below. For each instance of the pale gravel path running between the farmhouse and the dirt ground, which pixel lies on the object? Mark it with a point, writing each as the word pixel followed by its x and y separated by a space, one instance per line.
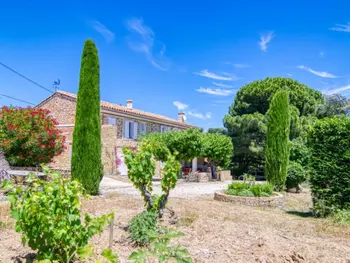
pixel 182 190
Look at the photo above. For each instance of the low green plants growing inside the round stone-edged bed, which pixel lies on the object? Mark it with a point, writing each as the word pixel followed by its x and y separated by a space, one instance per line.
pixel 249 189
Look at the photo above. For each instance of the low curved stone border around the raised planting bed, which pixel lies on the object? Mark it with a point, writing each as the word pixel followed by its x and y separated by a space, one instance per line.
pixel 277 200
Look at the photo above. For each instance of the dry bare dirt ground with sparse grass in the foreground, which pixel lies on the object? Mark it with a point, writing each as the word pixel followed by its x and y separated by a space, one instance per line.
pixel 219 232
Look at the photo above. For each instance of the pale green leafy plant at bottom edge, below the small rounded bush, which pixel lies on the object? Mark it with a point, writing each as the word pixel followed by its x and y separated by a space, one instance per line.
pixel 161 250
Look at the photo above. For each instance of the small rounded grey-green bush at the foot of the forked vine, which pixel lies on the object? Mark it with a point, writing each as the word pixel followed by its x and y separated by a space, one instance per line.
pixel 141 225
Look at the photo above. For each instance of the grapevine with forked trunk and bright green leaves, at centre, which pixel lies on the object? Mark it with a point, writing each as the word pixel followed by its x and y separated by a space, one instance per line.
pixel 141 168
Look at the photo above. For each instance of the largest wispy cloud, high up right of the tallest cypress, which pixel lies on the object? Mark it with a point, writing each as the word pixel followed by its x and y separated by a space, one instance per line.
pixel 143 40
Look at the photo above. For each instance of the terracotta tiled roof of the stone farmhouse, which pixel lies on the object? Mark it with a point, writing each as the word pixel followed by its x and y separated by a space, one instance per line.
pixel 123 109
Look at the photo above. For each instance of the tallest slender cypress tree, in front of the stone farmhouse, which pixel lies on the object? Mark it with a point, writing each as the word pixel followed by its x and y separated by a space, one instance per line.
pixel 86 164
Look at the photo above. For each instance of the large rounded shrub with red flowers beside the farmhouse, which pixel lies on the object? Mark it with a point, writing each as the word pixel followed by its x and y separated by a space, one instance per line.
pixel 29 136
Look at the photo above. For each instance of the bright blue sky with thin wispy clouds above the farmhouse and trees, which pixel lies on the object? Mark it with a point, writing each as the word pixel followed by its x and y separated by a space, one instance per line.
pixel 186 55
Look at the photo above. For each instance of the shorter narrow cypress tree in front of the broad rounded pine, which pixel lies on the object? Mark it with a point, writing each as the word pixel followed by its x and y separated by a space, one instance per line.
pixel 277 140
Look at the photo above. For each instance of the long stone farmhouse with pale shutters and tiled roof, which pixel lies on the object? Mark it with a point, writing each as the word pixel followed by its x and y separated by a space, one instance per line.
pixel 121 125
